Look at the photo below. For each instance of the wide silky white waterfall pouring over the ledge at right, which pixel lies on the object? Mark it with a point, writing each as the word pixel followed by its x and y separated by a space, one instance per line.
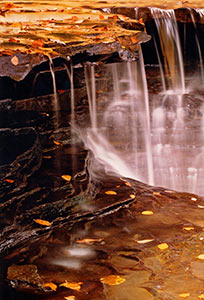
pixel 157 139
